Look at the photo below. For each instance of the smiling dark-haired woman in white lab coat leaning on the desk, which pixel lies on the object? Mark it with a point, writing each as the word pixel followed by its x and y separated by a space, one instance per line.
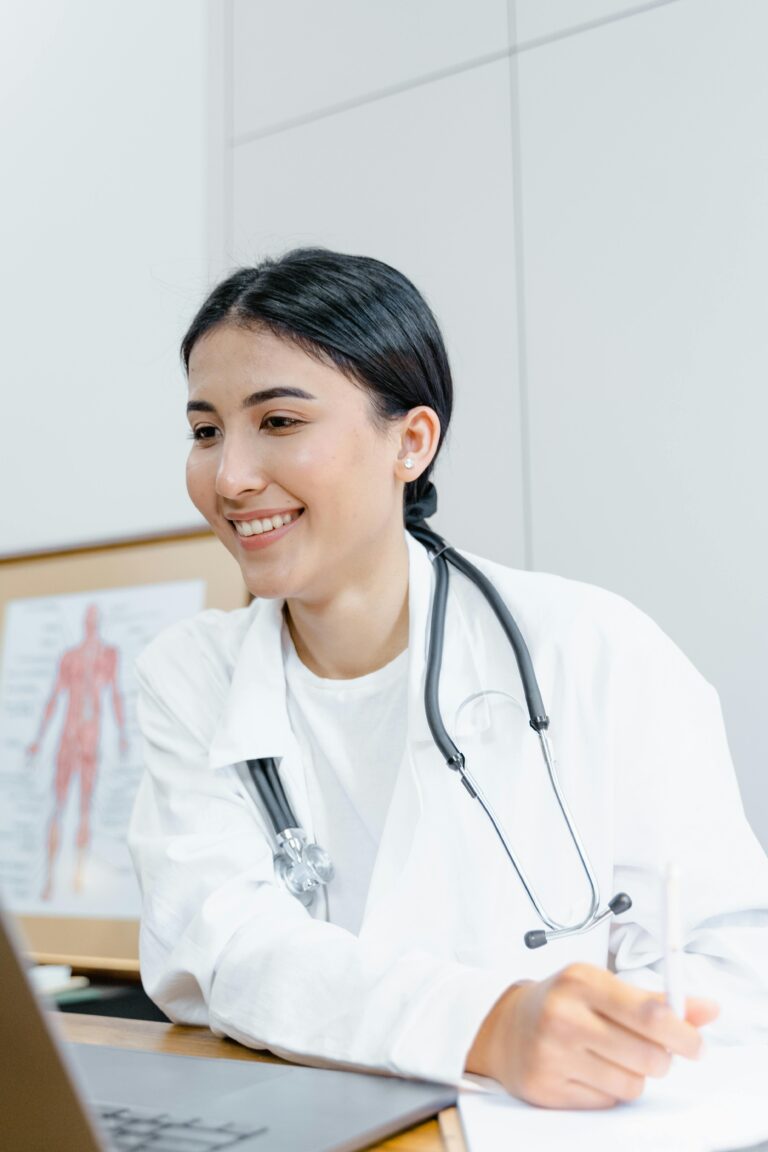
pixel 320 395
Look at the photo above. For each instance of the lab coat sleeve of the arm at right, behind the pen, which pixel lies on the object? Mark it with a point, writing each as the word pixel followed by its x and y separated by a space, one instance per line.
pixel 678 800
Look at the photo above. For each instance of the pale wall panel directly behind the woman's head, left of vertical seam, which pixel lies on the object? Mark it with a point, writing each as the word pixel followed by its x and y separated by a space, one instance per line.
pixel 422 180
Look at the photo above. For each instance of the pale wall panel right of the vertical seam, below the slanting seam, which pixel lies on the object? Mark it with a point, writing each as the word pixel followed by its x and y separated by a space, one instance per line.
pixel 645 186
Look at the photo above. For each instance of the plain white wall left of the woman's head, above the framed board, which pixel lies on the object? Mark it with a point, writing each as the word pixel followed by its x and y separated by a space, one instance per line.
pixel 103 233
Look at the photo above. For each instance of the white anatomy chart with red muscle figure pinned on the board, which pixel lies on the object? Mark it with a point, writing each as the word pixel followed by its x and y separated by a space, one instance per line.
pixel 66 797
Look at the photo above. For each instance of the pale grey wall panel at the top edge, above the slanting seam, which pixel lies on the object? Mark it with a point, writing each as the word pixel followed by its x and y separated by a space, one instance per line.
pixel 296 58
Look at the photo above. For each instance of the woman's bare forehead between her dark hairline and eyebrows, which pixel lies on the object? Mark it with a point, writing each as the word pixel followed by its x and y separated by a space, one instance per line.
pixel 245 360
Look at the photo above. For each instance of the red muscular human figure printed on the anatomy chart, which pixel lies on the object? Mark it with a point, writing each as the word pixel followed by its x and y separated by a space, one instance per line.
pixel 85 672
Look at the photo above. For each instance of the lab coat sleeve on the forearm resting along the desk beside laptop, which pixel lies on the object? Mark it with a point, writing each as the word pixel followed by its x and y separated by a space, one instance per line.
pixel 224 945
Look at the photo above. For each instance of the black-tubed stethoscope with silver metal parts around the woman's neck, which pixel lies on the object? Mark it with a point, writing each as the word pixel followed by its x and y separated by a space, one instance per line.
pixel 305 867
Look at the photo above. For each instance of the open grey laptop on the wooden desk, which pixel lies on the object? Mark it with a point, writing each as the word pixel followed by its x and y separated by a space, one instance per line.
pixel 93 1098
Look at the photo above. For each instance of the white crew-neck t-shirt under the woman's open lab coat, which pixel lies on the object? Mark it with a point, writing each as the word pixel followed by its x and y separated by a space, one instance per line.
pixel 352 736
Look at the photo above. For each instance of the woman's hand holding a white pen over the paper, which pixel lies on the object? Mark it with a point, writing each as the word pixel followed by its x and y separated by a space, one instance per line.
pixel 583 1040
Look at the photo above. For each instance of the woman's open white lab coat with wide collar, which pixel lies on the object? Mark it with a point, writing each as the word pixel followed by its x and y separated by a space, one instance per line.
pixel 644 764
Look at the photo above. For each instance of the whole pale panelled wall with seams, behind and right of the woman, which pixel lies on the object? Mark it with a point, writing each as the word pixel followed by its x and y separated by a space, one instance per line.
pixel 580 188
